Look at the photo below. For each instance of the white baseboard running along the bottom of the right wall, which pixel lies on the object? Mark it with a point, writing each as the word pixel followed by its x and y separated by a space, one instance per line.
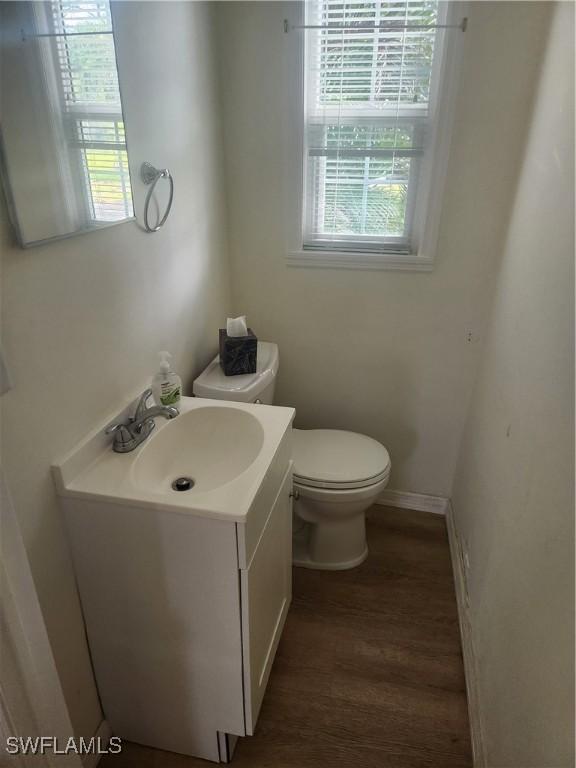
pixel 468 652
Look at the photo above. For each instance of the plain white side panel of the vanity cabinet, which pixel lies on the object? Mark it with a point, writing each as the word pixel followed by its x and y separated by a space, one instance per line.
pixel 160 597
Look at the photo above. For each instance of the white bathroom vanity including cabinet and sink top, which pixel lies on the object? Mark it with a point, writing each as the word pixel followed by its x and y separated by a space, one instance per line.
pixel 185 593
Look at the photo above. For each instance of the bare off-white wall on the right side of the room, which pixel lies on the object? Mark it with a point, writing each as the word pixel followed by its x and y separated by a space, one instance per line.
pixel 513 496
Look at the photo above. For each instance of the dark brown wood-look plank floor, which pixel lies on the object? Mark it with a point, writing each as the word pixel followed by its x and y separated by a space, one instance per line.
pixel 369 670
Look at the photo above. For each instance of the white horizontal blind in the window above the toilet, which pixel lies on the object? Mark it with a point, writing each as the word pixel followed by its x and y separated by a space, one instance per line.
pixel 369 103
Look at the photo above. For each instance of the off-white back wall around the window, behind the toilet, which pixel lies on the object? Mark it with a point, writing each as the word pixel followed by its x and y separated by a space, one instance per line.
pixel 384 353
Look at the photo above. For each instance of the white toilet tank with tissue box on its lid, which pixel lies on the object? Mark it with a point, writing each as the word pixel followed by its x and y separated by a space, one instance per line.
pixel 245 388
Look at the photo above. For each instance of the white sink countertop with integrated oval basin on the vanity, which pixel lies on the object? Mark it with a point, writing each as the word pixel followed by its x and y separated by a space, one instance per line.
pixel 227 449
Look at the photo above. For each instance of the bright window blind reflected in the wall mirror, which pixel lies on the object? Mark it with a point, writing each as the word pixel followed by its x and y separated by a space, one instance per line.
pixel 92 111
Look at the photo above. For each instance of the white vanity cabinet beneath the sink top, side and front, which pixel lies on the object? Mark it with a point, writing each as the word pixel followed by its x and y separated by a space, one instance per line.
pixel 184 612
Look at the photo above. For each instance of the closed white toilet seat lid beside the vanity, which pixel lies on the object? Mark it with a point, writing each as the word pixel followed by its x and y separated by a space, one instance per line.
pixel 338 460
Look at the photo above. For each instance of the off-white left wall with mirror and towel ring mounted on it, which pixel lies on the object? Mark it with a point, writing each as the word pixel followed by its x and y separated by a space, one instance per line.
pixel 82 319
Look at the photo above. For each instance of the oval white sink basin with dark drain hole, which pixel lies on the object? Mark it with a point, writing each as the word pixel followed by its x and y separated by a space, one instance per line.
pixel 212 446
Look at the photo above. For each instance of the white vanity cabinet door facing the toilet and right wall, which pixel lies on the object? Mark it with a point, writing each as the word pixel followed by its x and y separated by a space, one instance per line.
pixel 266 593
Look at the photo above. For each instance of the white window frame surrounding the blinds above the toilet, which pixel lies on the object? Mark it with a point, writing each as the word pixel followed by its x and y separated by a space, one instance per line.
pixel 432 169
